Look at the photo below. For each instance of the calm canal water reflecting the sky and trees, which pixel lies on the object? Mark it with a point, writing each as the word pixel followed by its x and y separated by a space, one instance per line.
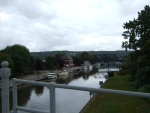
pixel 67 101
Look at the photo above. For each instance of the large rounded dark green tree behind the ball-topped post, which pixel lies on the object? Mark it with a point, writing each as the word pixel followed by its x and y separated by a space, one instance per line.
pixel 22 60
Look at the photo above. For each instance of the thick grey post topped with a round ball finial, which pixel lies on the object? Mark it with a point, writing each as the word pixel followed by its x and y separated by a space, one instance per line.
pixel 4 74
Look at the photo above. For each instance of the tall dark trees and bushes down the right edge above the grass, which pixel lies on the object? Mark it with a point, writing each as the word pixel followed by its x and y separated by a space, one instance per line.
pixel 137 38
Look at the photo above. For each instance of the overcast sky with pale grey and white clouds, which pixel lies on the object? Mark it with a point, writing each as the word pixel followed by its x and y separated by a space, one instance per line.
pixel 79 25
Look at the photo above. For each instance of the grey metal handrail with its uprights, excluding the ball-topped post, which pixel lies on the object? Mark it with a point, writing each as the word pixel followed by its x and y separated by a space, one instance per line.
pixel 52 87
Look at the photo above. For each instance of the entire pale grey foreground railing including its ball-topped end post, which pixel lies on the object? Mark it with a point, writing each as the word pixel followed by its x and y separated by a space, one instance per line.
pixel 5 73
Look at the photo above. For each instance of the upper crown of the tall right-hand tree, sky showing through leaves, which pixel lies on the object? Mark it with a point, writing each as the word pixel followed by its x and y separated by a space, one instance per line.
pixel 137 31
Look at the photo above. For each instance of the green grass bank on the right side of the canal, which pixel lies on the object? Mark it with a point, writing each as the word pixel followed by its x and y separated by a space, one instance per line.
pixel 112 103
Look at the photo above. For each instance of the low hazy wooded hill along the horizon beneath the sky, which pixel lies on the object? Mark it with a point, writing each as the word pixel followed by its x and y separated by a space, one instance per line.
pixel 44 54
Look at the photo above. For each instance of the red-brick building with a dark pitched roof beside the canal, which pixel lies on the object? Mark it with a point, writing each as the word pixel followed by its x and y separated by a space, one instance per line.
pixel 68 61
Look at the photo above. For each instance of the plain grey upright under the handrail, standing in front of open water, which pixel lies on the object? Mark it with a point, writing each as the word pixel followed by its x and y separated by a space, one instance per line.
pixel 52 98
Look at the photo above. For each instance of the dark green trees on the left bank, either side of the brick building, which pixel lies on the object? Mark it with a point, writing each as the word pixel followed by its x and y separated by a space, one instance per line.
pixel 22 62
